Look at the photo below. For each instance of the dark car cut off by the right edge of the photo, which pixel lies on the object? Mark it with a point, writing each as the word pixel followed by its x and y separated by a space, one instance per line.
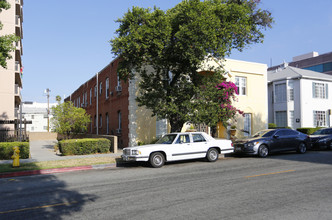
pixel 321 139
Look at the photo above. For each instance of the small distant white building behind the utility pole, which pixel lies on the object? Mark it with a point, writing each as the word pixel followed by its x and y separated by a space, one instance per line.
pixel 37 113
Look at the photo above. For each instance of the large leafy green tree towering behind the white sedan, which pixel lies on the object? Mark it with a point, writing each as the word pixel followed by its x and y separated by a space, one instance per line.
pixel 175 42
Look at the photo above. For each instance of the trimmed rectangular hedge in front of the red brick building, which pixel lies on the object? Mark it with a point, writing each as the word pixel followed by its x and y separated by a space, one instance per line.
pixel 84 146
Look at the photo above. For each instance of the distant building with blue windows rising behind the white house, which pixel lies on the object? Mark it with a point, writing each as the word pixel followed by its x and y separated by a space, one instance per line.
pixel 310 61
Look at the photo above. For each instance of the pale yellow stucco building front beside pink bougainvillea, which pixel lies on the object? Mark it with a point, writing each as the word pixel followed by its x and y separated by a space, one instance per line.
pixel 251 80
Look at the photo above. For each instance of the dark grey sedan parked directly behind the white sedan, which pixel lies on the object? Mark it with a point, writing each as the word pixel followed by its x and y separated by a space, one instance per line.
pixel 270 141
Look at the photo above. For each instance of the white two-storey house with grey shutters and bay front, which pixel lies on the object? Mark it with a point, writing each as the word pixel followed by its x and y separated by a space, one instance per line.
pixel 299 98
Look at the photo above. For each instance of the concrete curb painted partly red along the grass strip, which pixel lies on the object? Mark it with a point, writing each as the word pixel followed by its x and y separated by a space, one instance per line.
pixel 56 170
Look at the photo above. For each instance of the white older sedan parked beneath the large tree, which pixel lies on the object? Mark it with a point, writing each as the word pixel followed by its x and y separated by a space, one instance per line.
pixel 179 146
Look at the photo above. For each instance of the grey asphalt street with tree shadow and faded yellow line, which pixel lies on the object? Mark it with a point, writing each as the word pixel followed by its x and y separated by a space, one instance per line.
pixel 283 186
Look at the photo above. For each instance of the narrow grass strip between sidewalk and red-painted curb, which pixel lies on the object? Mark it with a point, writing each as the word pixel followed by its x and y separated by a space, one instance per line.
pixel 57 164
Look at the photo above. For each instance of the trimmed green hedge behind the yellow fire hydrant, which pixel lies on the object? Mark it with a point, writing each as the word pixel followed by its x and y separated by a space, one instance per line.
pixel 6 150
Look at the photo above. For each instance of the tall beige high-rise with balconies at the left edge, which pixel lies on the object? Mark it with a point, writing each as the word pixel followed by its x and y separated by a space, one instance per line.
pixel 10 77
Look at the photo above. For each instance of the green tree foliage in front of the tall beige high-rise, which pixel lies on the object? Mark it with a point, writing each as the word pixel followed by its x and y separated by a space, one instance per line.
pixel 6 41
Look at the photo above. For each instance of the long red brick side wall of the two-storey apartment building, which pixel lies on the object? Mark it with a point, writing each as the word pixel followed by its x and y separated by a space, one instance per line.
pixel 111 104
